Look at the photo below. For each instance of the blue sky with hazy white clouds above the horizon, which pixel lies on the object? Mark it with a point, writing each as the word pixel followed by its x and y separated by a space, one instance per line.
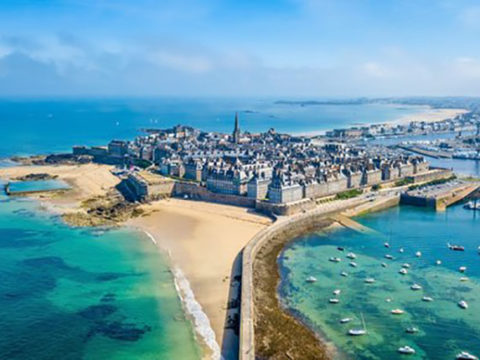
pixel 297 48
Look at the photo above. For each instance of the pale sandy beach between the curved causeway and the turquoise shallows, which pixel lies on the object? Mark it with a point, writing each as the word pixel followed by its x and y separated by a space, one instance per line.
pixel 204 240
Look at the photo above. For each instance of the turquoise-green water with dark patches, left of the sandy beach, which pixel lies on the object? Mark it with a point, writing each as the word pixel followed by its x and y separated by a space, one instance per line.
pixel 85 293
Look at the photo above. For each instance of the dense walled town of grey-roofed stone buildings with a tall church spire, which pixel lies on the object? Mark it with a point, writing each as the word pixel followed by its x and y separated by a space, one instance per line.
pixel 266 170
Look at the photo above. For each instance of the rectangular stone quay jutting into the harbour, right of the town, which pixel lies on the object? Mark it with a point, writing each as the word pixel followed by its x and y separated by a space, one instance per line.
pixel 439 197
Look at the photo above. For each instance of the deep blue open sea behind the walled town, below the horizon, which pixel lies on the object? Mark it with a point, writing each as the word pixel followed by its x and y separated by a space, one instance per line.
pixel 39 126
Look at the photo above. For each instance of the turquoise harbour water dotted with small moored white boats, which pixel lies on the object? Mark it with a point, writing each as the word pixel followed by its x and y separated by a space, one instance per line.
pixel 444 328
